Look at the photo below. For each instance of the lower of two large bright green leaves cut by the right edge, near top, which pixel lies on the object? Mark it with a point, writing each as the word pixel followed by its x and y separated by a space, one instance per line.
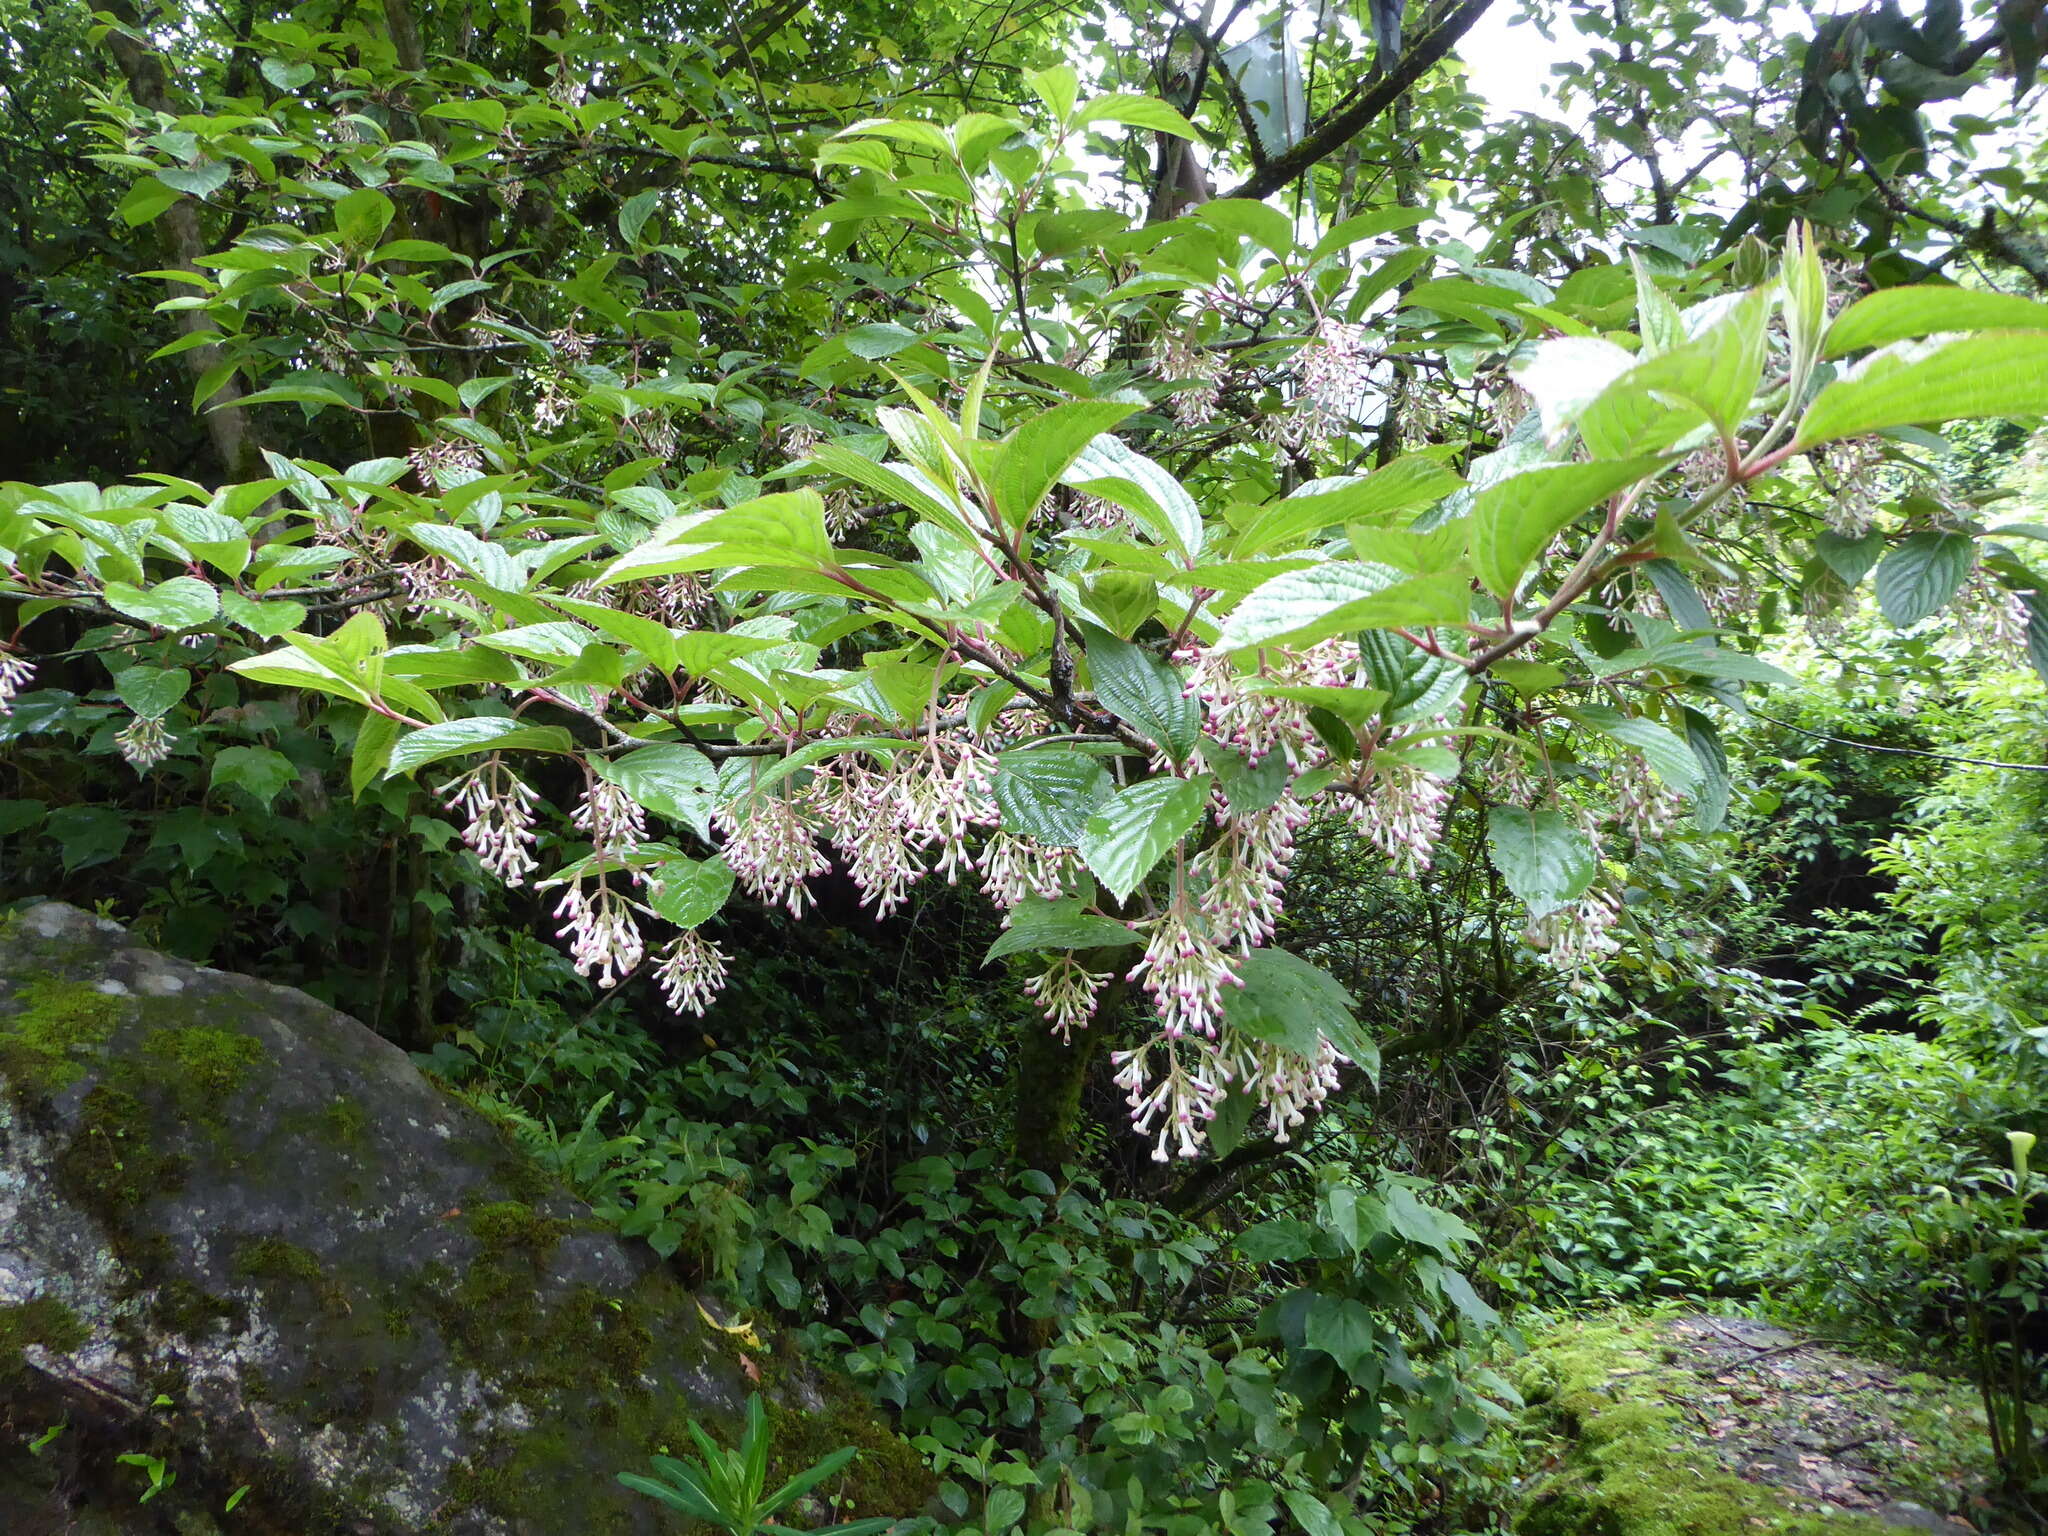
pixel 1998 374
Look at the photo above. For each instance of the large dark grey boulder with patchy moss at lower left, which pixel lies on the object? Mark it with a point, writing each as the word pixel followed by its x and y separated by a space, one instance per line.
pixel 243 1236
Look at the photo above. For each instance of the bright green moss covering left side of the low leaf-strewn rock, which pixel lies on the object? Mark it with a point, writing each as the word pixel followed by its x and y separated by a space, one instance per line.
pixel 1629 1469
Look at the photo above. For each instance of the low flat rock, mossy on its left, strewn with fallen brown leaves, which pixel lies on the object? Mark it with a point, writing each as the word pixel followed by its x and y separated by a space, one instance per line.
pixel 1713 1426
